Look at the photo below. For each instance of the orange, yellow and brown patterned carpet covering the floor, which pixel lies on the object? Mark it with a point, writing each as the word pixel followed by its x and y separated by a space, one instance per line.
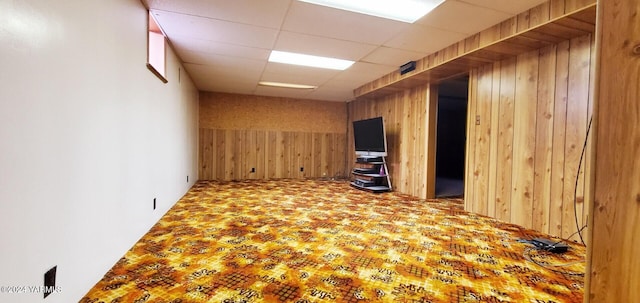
pixel 324 241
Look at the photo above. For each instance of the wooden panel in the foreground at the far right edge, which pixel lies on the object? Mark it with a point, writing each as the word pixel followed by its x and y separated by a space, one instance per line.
pixel 614 266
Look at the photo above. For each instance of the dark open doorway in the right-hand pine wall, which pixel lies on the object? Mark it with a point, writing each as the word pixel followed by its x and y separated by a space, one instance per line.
pixel 453 98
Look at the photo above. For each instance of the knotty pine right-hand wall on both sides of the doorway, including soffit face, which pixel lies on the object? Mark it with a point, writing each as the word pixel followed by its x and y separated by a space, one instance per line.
pixel 534 109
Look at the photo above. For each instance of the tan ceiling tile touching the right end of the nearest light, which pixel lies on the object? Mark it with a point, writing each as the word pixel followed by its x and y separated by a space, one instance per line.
pixel 462 17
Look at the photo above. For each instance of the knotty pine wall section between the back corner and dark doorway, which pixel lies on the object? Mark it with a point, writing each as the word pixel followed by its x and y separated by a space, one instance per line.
pixel 409 130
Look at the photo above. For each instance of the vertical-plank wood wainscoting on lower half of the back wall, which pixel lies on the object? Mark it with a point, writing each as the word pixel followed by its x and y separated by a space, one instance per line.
pixel 232 154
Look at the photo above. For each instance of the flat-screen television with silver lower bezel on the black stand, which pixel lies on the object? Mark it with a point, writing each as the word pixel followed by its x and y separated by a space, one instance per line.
pixel 369 137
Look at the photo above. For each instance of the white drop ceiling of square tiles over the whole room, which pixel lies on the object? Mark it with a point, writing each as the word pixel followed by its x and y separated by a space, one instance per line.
pixel 224 44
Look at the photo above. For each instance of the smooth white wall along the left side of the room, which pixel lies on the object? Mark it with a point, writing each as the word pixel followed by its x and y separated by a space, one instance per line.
pixel 88 138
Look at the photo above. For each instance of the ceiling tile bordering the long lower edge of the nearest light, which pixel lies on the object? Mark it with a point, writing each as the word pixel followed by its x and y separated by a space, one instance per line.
pixel 328 22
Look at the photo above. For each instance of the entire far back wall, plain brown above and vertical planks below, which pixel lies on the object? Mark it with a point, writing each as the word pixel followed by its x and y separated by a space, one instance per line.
pixel 256 137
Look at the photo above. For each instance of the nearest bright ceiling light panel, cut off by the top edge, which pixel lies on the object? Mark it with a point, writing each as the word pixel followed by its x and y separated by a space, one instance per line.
pixel 401 10
